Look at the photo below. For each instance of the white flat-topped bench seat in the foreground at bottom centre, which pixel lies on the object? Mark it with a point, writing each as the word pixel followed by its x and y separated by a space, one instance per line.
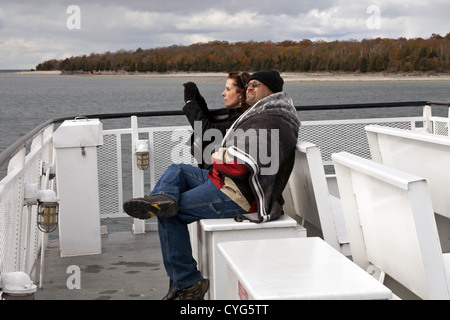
pixel 299 268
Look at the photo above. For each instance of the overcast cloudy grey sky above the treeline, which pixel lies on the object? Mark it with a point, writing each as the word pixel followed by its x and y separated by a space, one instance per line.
pixel 34 31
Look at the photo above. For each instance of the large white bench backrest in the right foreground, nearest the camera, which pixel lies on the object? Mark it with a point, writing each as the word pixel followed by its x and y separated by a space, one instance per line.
pixel 391 225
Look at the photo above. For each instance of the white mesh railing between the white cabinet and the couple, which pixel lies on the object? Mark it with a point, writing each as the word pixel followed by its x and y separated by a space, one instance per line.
pixel 168 145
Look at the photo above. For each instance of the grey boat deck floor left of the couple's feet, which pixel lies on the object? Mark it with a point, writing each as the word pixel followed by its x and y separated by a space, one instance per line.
pixel 130 267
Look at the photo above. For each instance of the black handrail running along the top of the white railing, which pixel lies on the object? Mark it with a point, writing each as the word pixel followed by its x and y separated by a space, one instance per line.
pixel 12 150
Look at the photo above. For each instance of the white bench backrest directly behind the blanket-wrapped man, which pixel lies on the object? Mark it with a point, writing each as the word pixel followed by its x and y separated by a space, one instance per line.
pixel 312 199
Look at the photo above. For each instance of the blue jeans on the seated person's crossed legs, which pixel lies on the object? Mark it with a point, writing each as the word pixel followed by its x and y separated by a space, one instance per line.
pixel 197 198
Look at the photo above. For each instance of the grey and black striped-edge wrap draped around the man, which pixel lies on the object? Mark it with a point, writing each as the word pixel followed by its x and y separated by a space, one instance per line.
pixel 270 131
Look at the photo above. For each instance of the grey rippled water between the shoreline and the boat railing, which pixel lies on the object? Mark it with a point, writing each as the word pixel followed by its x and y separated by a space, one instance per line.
pixel 27 100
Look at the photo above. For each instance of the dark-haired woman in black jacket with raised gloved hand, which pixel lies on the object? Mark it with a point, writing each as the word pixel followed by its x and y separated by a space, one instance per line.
pixel 196 109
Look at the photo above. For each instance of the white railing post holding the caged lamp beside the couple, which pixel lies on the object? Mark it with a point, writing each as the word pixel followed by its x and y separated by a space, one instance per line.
pixel 137 175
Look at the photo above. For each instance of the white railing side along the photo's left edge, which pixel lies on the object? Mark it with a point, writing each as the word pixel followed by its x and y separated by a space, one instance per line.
pixel 19 235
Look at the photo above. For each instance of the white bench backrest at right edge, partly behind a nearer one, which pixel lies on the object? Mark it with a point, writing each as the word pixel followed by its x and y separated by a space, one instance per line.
pixel 422 154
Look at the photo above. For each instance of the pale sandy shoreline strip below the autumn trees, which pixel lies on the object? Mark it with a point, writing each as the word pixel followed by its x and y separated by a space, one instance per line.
pixel 287 76
